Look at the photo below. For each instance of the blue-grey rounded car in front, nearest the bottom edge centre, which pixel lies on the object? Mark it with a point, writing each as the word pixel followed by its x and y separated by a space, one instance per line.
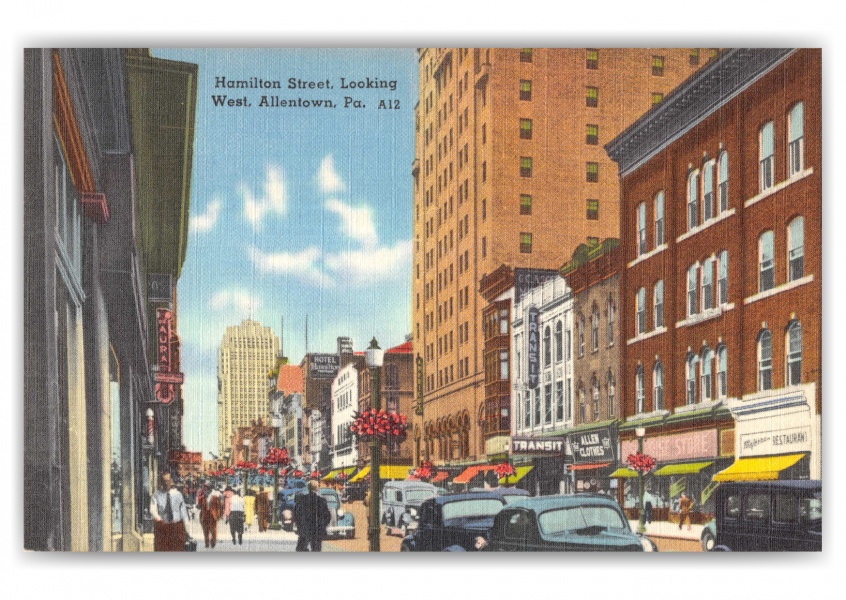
pixel 564 523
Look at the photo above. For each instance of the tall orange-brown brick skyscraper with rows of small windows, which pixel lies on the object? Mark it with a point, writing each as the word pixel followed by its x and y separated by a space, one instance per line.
pixel 510 169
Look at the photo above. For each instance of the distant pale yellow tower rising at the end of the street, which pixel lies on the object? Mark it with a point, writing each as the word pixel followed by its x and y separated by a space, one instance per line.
pixel 247 353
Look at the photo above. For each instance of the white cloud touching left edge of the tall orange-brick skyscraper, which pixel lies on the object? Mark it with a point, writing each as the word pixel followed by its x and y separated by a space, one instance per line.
pixel 370 265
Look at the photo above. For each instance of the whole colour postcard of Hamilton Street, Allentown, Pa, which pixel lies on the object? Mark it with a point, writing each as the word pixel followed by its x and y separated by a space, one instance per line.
pixel 422 299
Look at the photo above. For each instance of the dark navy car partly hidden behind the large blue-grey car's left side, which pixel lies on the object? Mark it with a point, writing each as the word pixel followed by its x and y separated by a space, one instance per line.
pixel 453 520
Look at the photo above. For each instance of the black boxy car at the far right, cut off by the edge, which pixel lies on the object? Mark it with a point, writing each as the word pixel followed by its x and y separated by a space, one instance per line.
pixel 761 516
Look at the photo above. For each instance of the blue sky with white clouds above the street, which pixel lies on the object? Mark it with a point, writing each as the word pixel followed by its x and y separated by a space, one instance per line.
pixel 295 211
